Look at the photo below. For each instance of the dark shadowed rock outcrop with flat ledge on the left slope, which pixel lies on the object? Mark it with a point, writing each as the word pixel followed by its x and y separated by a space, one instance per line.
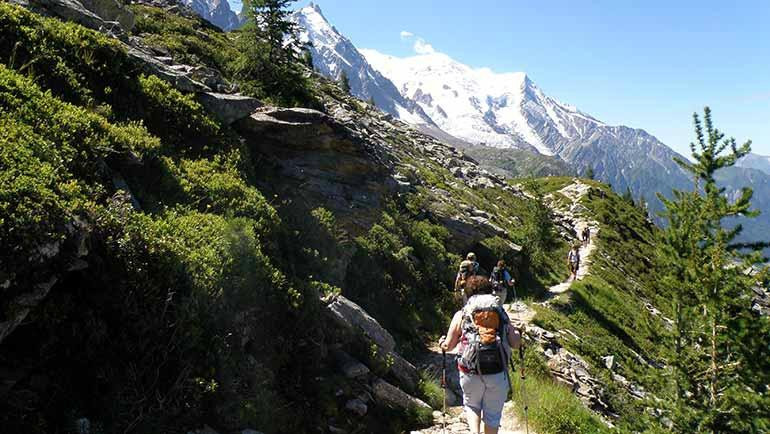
pixel 321 163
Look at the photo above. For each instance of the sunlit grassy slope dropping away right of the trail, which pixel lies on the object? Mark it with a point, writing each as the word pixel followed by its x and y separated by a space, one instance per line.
pixel 607 311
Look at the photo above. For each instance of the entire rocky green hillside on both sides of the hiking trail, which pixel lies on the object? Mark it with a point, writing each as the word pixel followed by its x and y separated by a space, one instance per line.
pixel 200 234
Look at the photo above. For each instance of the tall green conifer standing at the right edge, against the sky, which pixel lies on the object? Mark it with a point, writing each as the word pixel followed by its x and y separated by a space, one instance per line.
pixel 722 360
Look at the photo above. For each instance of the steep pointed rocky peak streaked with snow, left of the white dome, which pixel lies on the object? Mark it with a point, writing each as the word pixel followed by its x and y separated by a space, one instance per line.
pixel 334 54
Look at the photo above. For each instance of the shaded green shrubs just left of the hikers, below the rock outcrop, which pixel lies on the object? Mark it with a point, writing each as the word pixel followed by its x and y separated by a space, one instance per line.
pixel 401 273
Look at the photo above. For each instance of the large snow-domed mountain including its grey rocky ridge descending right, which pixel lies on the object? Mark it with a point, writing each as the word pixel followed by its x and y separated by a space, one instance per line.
pixel 510 110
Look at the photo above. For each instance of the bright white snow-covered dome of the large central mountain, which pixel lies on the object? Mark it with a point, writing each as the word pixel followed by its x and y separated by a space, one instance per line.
pixel 477 105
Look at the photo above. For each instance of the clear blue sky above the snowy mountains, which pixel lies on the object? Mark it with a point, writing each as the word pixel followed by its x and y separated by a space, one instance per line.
pixel 646 64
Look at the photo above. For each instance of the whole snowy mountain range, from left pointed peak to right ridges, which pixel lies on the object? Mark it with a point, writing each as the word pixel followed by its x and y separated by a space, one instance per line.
pixel 461 105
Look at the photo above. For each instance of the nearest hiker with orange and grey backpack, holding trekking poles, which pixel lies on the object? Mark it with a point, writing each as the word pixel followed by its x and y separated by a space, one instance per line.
pixel 485 337
